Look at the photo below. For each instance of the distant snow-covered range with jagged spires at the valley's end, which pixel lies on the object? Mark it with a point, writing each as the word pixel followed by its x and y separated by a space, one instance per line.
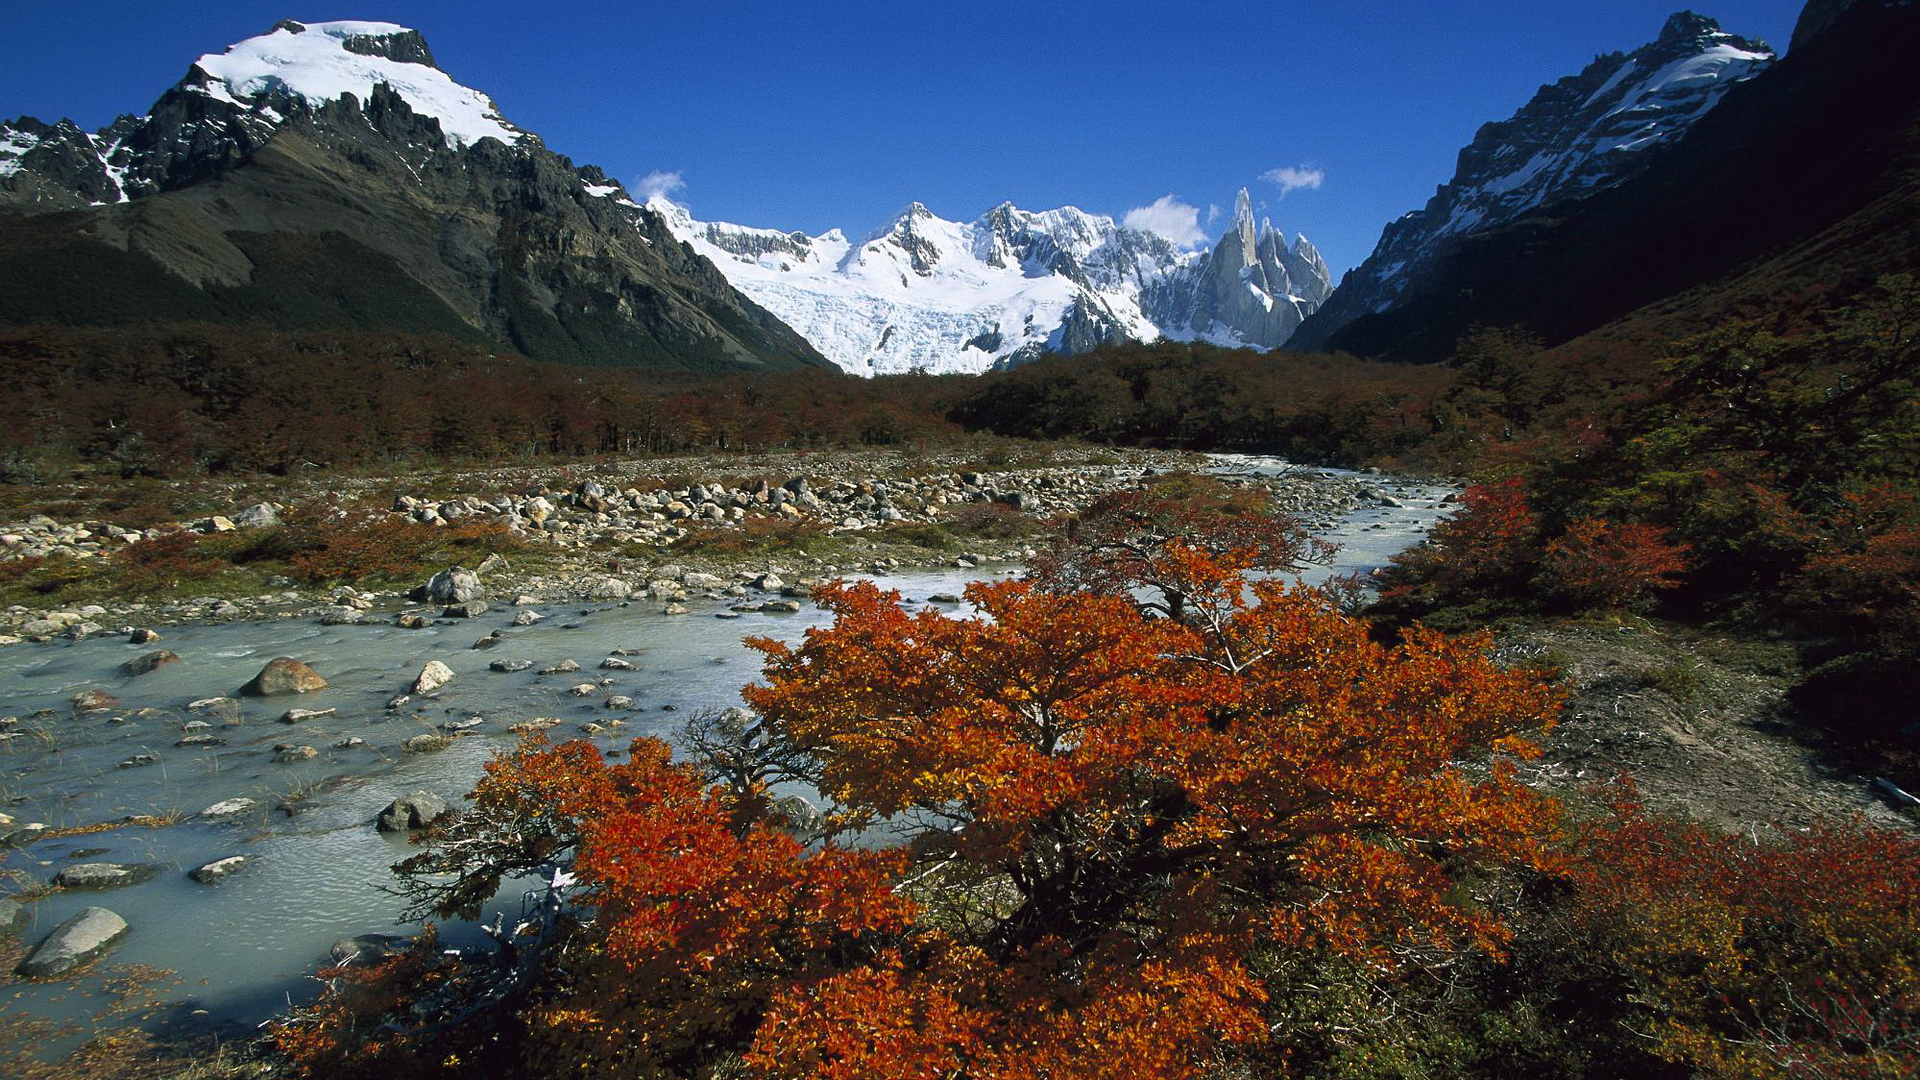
pixel 946 297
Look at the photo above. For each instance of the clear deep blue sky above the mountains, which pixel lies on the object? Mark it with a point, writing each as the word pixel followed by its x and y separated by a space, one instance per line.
pixel 838 114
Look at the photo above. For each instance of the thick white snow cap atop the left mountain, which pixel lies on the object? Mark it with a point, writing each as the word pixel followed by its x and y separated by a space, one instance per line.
pixel 318 66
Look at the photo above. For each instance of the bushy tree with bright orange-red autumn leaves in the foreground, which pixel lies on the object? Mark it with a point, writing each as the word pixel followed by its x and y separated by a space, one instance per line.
pixel 1084 825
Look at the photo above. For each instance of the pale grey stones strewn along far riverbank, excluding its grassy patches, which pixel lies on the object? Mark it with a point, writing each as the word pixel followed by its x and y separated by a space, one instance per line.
pixel 613 533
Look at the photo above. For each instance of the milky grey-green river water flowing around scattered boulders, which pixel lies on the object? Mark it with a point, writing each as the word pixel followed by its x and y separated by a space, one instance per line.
pixel 243 950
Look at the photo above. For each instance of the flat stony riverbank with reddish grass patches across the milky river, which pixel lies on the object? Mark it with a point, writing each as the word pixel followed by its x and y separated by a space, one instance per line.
pixel 604 533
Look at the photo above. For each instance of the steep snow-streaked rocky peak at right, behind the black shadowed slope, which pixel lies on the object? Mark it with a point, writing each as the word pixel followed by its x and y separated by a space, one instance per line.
pixel 1575 137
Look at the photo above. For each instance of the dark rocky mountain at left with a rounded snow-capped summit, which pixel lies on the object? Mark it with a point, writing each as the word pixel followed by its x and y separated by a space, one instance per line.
pixel 329 176
